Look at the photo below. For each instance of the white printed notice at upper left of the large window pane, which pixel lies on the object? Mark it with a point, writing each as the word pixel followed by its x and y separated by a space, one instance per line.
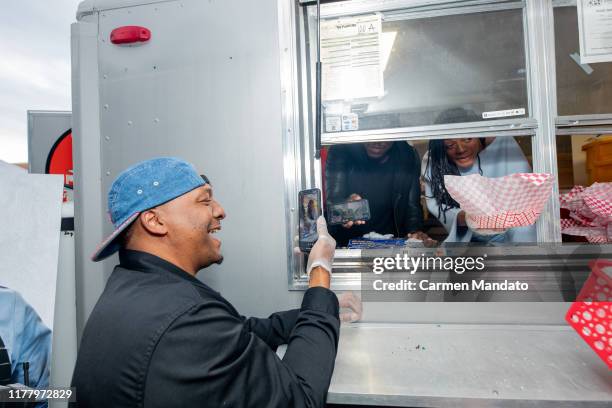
pixel 351 58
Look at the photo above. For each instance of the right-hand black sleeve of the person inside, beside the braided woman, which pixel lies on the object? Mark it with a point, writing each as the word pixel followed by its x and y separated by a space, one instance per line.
pixel 414 210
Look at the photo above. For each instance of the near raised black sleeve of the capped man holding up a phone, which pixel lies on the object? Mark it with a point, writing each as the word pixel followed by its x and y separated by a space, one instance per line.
pixel 208 357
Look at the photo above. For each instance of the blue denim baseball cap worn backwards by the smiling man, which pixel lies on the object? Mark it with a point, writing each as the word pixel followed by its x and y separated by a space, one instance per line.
pixel 141 187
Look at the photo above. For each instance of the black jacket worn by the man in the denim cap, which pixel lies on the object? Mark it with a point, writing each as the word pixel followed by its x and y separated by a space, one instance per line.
pixel 159 337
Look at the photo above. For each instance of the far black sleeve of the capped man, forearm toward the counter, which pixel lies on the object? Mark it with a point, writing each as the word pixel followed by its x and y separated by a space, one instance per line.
pixel 274 330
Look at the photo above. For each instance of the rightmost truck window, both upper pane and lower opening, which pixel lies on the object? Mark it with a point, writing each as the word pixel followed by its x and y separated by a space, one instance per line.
pixel 584 125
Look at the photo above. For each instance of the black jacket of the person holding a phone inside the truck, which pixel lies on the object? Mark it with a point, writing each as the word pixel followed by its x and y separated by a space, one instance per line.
pixel 344 161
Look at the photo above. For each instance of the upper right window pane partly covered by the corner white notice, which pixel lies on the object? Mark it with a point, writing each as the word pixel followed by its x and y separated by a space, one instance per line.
pixel 582 89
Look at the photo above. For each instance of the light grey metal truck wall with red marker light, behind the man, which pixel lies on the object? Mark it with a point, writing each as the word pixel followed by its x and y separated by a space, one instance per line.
pixel 206 88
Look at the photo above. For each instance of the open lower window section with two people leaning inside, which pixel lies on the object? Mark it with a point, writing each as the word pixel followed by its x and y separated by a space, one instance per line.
pixel 396 180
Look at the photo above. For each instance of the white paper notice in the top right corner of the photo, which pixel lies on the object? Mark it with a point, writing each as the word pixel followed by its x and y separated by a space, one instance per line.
pixel 595 30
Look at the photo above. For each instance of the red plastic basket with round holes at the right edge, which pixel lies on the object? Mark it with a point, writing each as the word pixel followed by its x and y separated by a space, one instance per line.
pixel 591 314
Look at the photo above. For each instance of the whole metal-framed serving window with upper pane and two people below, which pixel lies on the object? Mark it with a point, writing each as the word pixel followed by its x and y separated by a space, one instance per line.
pixel 444 85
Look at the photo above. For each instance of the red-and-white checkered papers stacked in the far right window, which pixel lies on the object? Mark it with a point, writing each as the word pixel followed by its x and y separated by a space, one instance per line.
pixel 590 211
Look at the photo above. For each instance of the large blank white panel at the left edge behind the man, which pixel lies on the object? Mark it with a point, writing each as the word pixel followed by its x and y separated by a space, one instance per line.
pixel 29 243
